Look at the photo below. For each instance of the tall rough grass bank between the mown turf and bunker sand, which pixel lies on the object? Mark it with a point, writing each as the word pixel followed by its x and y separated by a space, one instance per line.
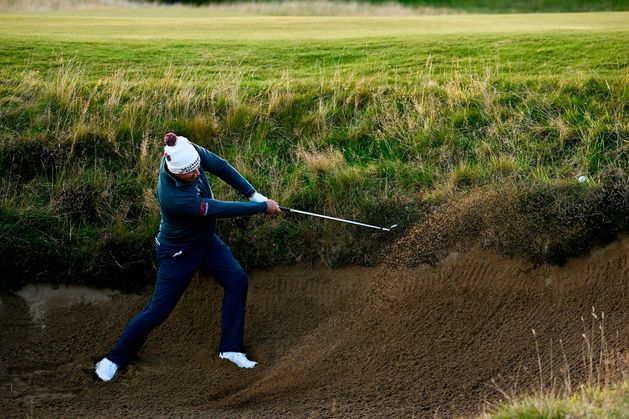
pixel 79 155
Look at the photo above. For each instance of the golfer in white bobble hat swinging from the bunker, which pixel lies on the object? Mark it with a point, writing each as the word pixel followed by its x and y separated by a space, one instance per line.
pixel 186 241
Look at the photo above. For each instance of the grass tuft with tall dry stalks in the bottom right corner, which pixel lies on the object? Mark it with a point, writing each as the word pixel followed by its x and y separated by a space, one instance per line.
pixel 597 388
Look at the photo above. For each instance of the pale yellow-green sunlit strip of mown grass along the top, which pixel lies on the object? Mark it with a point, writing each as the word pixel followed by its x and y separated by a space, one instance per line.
pixel 193 25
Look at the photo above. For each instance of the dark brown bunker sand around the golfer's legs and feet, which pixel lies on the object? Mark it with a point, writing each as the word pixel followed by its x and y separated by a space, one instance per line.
pixel 347 342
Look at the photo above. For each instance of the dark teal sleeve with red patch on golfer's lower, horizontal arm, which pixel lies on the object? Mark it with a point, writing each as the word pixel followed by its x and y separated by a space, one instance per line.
pixel 213 208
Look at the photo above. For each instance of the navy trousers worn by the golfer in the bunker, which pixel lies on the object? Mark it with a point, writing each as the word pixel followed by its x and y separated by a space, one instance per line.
pixel 176 267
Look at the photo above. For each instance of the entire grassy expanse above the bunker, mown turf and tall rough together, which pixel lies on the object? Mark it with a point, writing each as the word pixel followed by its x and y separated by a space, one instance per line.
pixel 367 118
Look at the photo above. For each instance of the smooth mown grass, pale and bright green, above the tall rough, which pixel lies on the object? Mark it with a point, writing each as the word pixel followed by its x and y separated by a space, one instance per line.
pixel 517 47
